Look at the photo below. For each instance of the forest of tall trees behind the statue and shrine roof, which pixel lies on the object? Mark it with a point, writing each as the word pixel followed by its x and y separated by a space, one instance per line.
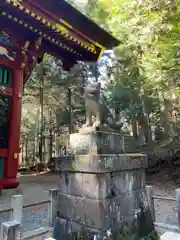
pixel 141 83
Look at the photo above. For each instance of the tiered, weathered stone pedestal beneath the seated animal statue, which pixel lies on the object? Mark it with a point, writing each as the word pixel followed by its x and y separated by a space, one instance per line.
pixel 102 193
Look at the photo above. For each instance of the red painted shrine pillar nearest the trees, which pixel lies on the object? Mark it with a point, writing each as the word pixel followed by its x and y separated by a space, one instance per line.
pixel 11 170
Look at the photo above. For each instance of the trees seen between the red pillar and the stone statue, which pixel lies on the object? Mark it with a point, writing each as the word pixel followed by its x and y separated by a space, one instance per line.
pixel 47 91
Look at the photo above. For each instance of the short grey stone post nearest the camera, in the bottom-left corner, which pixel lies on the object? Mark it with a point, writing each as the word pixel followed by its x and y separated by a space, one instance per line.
pixel 10 230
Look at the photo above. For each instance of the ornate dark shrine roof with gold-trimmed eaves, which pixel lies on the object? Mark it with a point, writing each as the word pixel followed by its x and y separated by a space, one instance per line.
pixel 61 29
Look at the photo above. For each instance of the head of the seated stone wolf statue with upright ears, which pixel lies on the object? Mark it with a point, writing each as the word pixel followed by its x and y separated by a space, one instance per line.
pixel 92 90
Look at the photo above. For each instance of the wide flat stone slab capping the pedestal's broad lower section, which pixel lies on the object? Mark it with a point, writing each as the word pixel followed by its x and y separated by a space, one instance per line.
pixel 103 163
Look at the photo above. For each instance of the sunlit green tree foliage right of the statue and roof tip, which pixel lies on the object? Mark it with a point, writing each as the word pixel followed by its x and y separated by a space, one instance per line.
pixel 144 79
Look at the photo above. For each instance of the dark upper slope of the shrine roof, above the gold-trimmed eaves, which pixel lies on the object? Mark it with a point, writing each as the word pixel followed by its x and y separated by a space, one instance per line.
pixel 62 9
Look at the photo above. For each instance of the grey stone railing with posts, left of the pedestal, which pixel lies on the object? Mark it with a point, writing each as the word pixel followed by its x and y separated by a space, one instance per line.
pixel 14 227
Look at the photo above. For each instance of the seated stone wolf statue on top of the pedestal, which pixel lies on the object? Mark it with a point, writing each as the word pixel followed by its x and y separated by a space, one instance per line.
pixel 96 107
